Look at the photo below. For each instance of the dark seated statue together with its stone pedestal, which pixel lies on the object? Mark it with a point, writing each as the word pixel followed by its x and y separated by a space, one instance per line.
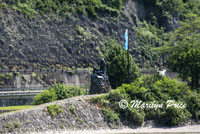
pixel 99 80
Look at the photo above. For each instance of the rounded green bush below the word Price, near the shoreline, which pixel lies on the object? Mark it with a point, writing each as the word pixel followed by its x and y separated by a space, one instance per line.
pixel 174 116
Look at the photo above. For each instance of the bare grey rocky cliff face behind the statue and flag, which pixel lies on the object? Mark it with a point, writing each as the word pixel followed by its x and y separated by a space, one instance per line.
pixel 49 40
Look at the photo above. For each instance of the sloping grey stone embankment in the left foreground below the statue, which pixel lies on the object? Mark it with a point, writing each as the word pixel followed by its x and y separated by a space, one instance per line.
pixel 76 113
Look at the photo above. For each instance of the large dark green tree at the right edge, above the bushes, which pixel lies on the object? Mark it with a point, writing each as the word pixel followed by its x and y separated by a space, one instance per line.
pixel 185 51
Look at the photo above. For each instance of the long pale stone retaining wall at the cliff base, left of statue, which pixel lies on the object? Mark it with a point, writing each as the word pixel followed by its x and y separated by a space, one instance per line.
pixel 46 78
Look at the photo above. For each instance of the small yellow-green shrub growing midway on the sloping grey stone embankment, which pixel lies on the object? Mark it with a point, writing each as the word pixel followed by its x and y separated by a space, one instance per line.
pixel 54 110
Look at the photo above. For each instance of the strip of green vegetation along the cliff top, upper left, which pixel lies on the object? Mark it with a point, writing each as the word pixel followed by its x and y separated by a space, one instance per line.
pixel 63 7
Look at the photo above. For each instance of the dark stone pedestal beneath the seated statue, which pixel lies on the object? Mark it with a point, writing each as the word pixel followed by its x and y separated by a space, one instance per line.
pixel 99 84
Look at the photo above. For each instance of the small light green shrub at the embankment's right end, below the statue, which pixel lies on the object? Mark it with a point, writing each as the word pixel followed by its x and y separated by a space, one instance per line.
pixel 111 116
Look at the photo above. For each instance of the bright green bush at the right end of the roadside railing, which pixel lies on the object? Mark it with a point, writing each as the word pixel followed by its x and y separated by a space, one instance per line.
pixel 44 97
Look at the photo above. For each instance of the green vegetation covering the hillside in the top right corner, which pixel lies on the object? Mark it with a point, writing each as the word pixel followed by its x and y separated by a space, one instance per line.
pixel 171 9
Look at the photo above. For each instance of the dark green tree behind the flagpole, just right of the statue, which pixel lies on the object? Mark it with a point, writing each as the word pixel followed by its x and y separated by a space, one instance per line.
pixel 117 65
